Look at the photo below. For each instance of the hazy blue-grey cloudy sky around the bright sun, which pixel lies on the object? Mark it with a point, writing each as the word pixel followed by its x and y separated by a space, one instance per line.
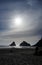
pixel 20 20
